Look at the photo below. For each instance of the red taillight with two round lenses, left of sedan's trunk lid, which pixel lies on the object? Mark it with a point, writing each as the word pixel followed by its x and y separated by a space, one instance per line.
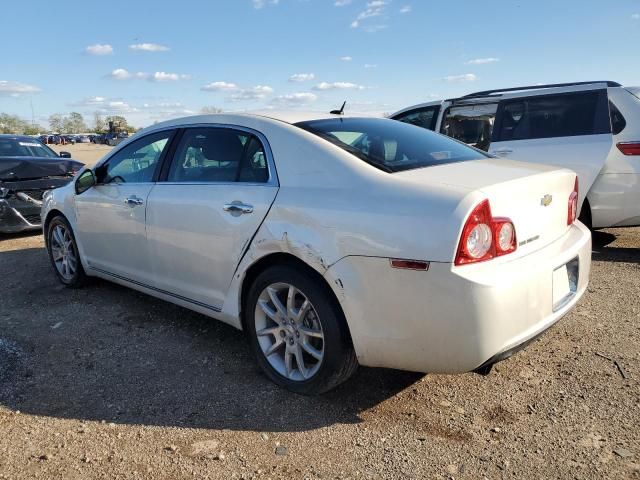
pixel 485 237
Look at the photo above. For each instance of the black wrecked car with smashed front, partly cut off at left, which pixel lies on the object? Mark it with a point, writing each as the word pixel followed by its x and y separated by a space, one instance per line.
pixel 28 168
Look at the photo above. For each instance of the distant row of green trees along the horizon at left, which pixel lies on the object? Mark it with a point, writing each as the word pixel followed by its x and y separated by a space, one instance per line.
pixel 72 123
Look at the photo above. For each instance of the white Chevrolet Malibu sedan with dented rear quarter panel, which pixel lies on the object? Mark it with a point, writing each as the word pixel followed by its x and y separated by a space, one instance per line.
pixel 331 241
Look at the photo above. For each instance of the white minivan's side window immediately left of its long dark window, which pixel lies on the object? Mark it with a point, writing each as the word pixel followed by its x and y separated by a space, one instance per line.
pixel 471 124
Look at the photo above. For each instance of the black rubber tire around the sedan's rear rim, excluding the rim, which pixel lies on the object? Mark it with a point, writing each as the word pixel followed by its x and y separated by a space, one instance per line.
pixel 336 344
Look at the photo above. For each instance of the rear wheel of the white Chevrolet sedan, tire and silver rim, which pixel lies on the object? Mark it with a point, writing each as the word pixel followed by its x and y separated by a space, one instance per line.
pixel 297 331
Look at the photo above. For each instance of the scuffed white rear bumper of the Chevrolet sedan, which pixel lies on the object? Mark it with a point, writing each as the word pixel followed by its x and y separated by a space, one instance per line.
pixel 455 319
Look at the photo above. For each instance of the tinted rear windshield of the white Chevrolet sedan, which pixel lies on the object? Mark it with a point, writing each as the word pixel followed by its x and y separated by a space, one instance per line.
pixel 390 145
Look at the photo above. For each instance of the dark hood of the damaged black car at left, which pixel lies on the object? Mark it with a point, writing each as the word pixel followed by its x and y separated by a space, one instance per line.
pixel 23 168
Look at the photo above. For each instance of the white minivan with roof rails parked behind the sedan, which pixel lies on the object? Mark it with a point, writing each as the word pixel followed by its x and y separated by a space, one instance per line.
pixel 592 128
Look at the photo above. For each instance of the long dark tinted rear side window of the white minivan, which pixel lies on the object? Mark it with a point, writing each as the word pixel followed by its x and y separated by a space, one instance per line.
pixel 549 116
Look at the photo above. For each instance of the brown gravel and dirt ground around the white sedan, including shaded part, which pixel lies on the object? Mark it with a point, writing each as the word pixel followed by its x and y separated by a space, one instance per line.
pixel 108 383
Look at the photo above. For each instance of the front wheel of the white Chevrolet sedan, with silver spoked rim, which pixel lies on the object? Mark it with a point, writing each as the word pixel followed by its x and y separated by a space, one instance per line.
pixel 64 254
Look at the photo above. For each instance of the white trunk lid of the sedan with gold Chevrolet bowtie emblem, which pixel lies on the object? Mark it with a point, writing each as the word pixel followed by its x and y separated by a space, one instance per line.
pixel 535 197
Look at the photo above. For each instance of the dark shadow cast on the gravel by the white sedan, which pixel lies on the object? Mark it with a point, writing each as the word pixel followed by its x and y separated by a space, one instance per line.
pixel 109 353
